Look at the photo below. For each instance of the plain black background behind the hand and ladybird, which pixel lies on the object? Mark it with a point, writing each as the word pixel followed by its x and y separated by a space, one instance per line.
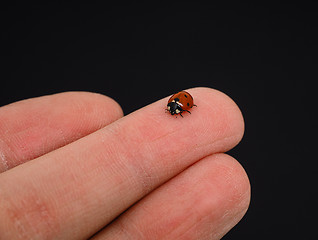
pixel 263 56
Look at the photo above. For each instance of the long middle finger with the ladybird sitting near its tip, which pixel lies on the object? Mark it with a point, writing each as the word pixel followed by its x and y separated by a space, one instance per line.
pixel 86 184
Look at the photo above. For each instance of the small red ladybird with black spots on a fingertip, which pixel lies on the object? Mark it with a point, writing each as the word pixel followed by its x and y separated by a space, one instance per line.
pixel 179 103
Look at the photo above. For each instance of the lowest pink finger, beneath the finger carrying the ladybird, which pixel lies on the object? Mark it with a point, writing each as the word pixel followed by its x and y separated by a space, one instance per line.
pixel 203 202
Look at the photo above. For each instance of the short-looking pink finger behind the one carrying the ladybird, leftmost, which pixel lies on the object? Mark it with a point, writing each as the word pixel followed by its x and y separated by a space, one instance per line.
pixel 33 127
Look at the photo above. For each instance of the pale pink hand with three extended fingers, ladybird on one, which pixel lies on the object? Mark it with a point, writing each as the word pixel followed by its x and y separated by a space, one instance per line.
pixel 96 174
